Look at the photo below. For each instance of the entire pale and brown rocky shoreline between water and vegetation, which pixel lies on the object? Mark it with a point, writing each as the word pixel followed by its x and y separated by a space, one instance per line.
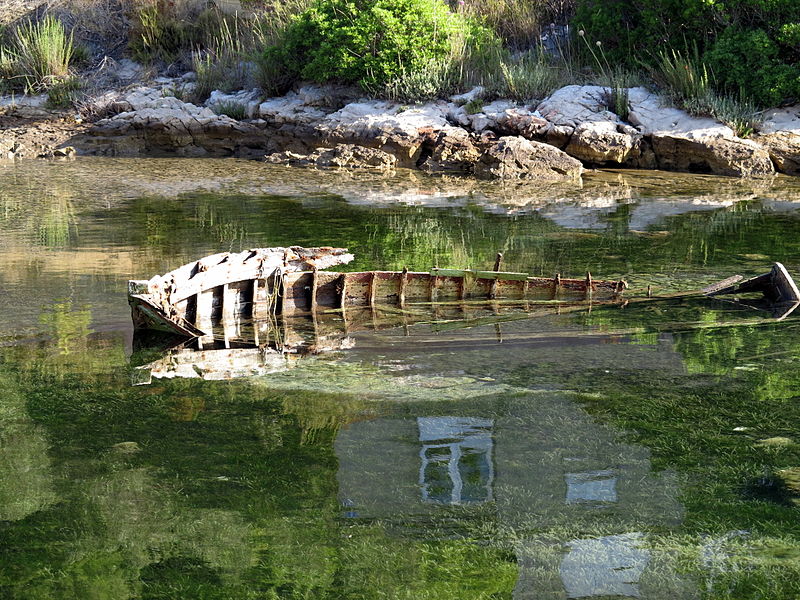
pixel 330 126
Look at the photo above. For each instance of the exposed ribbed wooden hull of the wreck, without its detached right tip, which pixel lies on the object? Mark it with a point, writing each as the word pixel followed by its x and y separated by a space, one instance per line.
pixel 264 283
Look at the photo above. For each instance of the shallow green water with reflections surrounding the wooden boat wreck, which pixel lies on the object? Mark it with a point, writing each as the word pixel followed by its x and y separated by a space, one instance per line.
pixel 613 452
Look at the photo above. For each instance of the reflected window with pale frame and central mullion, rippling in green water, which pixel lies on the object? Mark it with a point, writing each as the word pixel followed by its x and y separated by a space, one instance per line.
pixel 456 459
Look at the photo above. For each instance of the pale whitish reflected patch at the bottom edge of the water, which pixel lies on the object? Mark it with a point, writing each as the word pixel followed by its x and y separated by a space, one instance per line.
pixel 606 566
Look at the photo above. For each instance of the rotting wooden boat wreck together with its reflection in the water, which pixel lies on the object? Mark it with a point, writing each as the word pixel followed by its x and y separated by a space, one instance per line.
pixel 259 311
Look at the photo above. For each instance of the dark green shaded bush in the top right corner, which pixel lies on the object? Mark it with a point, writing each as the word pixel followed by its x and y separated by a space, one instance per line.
pixel 753 46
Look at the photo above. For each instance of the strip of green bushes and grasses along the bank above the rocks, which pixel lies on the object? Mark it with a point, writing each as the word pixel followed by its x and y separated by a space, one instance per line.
pixel 723 60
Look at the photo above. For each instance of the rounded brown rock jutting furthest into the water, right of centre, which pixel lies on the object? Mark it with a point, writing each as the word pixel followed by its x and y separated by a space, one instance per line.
pixel 518 158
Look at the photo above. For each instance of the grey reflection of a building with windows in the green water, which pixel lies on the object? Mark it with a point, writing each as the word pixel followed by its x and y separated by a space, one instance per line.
pixel 577 499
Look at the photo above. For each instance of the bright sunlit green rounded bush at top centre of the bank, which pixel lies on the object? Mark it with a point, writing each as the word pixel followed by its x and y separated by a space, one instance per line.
pixel 373 42
